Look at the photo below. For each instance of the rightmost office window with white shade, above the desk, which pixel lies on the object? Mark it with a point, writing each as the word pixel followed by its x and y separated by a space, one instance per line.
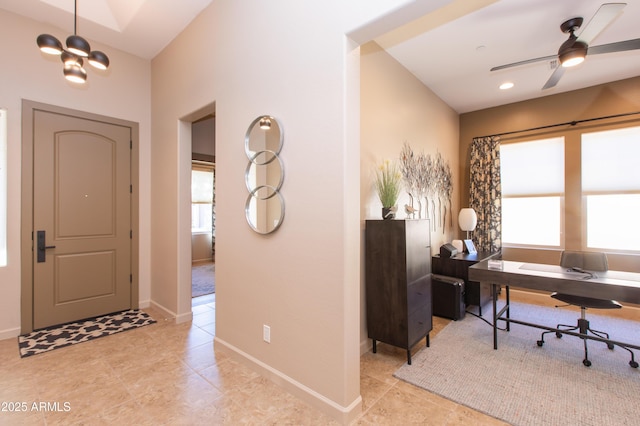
pixel 611 189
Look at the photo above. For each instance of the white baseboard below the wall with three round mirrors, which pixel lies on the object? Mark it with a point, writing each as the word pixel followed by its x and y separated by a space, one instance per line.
pixel 343 414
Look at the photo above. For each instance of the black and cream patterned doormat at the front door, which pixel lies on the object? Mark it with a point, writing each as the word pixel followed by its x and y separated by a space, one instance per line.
pixel 59 336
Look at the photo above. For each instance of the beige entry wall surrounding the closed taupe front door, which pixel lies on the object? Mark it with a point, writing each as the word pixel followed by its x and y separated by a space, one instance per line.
pixel 122 92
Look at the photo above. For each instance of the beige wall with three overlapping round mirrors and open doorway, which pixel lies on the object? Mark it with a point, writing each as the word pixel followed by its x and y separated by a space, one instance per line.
pixel 293 61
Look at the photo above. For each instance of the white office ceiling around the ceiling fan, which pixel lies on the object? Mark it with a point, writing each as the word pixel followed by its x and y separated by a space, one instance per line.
pixel 454 59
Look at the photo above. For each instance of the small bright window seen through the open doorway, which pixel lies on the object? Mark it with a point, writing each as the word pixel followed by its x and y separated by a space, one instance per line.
pixel 202 184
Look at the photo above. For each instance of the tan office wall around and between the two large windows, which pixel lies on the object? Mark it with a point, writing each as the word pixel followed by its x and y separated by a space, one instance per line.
pixel 599 101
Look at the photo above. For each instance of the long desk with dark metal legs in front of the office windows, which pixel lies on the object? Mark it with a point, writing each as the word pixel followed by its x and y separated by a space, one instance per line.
pixel 617 285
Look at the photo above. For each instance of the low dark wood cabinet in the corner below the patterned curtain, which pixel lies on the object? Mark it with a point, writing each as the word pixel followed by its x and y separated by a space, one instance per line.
pixel 476 294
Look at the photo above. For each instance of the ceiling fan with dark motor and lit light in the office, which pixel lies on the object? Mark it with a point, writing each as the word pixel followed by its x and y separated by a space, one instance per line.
pixel 575 49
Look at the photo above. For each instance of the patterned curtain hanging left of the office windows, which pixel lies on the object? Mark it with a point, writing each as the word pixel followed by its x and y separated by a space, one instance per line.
pixel 485 195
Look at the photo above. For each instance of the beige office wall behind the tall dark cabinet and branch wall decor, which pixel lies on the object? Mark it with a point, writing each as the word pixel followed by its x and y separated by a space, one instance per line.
pixel 395 107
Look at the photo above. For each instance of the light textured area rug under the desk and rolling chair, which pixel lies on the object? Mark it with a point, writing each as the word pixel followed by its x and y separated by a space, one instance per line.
pixel 523 384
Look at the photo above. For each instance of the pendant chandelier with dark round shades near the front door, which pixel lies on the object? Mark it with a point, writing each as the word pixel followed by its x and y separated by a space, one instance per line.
pixel 73 56
